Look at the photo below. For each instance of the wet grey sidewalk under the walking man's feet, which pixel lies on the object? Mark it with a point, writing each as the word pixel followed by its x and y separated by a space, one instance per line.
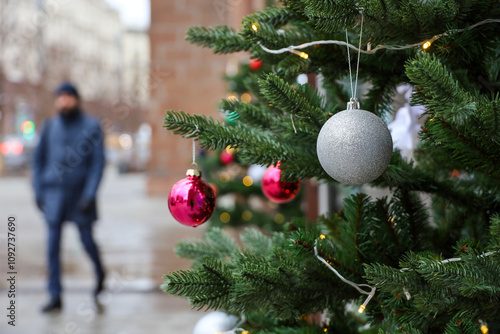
pixel 136 235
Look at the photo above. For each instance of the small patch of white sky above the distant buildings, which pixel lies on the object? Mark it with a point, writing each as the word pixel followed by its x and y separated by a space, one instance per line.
pixel 134 13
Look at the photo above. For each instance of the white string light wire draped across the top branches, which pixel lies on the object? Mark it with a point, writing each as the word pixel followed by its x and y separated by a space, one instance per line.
pixel 378 47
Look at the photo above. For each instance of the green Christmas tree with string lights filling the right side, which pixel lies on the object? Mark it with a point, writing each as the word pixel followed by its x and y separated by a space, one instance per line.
pixel 424 259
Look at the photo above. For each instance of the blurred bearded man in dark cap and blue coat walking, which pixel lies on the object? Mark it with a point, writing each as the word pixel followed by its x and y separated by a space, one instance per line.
pixel 67 169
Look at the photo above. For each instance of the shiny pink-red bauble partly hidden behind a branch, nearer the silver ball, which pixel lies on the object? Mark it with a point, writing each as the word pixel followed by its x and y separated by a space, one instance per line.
pixel 276 190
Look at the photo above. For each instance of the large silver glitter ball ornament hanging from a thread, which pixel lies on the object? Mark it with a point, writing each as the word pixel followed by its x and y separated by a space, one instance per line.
pixel 354 146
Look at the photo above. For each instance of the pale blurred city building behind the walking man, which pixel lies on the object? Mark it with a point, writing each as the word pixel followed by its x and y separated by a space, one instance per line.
pixel 43 42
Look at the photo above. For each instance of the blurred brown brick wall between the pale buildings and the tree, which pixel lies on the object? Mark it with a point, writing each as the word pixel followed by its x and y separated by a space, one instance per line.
pixel 184 77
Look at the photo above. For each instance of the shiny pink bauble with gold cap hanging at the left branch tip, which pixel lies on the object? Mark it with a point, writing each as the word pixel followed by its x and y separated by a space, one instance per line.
pixel 191 200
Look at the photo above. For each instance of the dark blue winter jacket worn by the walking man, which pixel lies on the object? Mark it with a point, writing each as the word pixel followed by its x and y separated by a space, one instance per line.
pixel 67 168
